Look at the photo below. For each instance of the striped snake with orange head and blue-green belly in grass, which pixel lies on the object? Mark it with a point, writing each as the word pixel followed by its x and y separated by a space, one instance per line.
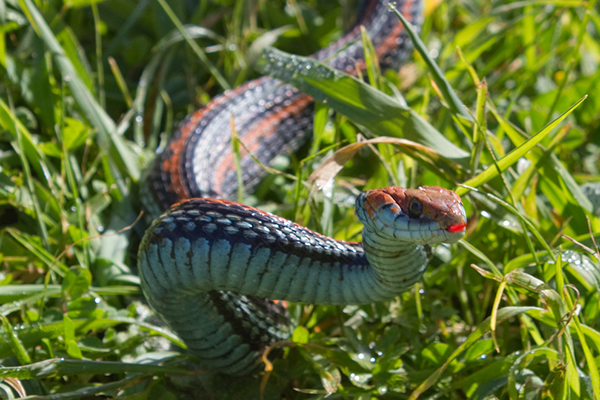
pixel 219 273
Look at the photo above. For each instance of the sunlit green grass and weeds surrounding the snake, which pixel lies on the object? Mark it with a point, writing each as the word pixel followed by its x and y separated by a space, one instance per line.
pixel 89 89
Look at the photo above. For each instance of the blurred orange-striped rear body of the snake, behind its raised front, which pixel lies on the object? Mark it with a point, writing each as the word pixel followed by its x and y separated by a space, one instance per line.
pixel 269 116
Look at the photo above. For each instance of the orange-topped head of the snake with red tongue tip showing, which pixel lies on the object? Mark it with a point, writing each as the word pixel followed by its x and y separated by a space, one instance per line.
pixel 427 215
